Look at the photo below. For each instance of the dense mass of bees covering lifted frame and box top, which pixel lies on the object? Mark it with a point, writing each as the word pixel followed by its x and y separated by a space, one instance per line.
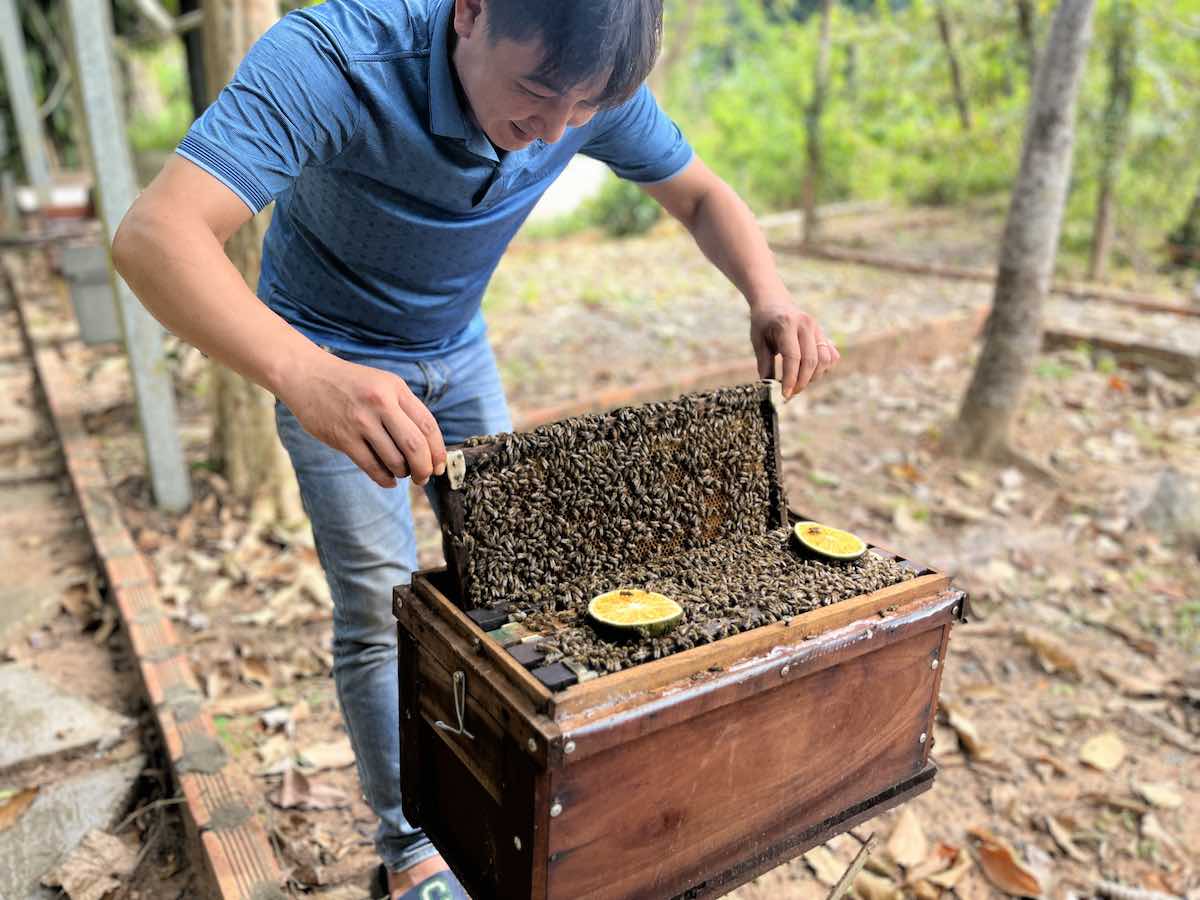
pixel 681 499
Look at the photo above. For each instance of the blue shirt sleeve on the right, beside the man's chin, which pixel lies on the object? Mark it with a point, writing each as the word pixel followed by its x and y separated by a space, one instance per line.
pixel 639 141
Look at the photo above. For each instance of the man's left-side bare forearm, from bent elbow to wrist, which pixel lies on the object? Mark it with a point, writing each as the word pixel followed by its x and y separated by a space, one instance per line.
pixel 179 271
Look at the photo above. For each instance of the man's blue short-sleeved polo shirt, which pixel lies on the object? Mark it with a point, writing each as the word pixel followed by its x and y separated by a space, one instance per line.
pixel 392 206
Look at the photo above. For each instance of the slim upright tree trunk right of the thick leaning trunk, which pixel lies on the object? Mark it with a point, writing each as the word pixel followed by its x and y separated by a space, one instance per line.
pixel 1115 130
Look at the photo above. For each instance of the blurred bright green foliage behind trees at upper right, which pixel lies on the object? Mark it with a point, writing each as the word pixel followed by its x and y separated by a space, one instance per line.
pixel 891 129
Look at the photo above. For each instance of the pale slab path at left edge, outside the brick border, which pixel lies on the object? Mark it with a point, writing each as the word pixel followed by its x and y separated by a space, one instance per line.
pixel 57 779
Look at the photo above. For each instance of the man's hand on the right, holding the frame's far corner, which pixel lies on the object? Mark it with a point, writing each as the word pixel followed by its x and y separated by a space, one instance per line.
pixel 778 328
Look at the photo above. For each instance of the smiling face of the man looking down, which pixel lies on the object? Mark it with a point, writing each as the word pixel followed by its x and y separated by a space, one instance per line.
pixel 509 103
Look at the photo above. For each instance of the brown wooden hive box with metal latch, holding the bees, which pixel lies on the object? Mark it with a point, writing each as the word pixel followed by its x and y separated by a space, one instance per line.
pixel 681 777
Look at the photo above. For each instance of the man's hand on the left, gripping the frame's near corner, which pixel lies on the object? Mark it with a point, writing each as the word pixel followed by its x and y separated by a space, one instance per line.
pixel 370 416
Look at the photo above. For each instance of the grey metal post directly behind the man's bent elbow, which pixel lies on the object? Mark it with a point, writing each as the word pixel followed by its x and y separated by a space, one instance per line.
pixel 92 40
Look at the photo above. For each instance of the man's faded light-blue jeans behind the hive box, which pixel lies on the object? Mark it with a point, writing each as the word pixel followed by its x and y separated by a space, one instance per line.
pixel 367 547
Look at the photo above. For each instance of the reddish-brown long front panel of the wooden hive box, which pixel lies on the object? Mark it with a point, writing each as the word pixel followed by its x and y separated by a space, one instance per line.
pixel 711 789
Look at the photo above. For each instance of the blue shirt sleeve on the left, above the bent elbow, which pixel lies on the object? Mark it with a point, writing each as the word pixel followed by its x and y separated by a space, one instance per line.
pixel 290 105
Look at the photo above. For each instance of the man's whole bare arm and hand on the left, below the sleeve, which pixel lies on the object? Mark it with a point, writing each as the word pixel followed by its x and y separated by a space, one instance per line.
pixel 170 250
